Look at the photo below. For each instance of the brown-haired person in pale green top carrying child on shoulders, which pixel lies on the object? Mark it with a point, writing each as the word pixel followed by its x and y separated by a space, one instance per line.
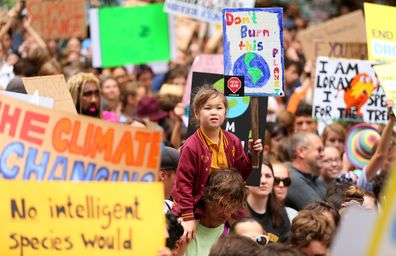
pixel 224 195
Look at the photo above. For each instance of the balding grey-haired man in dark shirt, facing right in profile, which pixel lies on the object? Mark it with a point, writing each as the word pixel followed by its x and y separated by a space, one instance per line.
pixel 306 152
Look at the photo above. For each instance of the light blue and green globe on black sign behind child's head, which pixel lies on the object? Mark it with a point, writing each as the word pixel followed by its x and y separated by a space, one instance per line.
pixel 236 105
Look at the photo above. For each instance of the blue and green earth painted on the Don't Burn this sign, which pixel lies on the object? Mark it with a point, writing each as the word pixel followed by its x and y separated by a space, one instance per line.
pixel 254 68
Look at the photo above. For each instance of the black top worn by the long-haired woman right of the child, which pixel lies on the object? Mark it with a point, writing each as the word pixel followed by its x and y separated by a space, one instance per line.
pixel 275 234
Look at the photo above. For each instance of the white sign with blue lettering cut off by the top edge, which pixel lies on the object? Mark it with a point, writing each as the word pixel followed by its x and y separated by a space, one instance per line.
pixel 204 10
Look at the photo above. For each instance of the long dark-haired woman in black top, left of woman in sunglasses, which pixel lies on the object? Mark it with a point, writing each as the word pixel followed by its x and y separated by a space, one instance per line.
pixel 264 207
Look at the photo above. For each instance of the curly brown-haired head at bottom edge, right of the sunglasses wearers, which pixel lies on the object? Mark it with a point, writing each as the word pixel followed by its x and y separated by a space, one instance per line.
pixel 312 232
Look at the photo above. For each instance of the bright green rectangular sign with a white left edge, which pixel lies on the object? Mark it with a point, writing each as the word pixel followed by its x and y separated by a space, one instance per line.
pixel 129 35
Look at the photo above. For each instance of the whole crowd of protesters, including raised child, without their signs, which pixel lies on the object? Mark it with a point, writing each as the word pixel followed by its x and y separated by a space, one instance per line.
pixel 307 180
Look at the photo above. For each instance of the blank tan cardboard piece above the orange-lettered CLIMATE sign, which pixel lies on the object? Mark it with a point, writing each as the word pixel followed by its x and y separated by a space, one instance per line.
pixel 54 87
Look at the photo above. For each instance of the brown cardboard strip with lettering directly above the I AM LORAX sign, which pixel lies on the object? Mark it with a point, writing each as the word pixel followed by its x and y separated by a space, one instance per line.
pixel 346 50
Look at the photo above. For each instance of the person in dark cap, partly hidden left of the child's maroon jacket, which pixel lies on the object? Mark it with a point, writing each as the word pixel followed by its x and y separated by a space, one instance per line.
pixel 169 161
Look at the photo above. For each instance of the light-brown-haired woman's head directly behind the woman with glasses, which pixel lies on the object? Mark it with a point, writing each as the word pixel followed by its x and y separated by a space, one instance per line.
pixel 334 135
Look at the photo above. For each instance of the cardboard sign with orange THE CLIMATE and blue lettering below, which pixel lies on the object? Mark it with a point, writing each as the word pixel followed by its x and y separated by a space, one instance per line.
pixel 37 144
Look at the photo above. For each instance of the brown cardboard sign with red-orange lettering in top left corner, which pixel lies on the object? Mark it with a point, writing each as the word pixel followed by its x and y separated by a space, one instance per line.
pixel 58 19
